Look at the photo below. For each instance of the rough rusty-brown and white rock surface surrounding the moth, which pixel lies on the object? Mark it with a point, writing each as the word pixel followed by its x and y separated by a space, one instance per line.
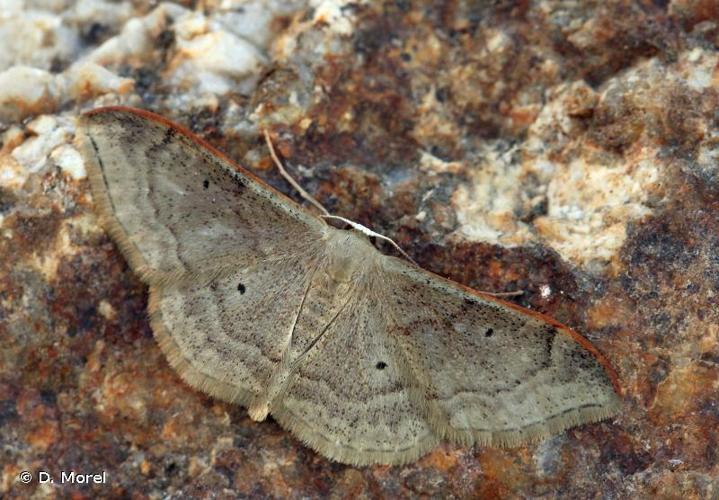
pixel 566 149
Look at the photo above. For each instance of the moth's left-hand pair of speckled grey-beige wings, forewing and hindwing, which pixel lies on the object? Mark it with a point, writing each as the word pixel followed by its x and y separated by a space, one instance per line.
pixel 227 258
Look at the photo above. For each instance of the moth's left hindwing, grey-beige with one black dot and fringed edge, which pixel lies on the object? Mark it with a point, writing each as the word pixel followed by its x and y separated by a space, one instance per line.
pixel 228 336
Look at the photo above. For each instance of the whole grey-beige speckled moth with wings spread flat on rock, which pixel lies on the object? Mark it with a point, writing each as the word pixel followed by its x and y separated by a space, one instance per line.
pixel 365 357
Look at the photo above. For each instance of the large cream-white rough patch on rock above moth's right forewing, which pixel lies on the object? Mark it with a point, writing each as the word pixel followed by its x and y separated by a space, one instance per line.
pixel 589 195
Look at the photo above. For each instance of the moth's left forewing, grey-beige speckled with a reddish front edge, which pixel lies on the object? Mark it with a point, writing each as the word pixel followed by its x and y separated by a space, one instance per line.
pixel 176 206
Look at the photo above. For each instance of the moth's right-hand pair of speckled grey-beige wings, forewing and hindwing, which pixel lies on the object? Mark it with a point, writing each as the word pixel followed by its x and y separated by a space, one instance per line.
pixel 417 359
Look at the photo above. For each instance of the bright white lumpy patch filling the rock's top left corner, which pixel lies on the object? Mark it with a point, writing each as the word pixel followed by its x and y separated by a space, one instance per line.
pixel 48 65
